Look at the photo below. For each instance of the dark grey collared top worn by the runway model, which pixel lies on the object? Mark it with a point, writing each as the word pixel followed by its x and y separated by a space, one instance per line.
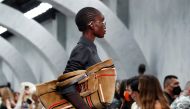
pixel 82 56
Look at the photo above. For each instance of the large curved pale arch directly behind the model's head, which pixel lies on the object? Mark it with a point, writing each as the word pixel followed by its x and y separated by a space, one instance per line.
pixel 117 34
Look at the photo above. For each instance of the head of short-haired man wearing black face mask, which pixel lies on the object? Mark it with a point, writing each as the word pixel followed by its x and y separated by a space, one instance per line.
pixel 171 85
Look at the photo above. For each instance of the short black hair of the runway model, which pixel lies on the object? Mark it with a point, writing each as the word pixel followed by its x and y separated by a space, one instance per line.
pixel 85 16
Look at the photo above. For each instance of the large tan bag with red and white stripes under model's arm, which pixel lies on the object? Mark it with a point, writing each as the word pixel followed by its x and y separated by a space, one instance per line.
pixel 97 88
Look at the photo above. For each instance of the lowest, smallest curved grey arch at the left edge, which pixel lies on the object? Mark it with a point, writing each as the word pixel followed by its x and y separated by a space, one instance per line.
pixel 16 62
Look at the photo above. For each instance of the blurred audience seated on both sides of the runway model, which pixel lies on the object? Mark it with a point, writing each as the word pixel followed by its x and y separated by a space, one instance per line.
pixel 138 92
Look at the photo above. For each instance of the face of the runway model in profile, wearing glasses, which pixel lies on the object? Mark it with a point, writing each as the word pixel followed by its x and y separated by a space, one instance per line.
pixel 99 26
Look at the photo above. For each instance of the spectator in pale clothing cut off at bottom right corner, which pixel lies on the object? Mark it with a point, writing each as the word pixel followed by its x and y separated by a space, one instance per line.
pixel 183 101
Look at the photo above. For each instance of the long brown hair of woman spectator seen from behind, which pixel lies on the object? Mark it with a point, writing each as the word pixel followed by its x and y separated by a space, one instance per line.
pixel 151 94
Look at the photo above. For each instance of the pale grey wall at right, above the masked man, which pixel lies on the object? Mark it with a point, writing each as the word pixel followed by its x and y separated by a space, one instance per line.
pixel 161 28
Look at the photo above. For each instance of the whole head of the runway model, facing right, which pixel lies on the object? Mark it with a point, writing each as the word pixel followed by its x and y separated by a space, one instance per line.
pixel 90 22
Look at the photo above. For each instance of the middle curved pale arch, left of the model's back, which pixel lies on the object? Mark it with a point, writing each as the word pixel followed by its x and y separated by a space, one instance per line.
pixel 48 47
